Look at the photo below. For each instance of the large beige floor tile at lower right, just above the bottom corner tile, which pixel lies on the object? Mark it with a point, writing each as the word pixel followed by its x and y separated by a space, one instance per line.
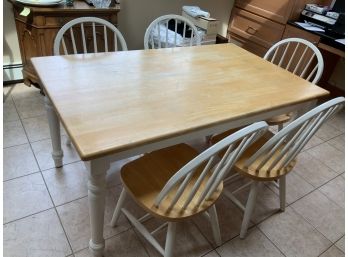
pixel 326 216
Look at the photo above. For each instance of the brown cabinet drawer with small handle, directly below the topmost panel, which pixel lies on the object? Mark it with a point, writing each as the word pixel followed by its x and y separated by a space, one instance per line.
pixel 255 28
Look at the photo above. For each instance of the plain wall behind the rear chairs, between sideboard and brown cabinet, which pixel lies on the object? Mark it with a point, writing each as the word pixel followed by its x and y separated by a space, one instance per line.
pixel 136 15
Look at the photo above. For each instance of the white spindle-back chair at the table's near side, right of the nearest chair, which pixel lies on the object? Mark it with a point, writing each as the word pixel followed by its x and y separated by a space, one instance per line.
pixel 272 157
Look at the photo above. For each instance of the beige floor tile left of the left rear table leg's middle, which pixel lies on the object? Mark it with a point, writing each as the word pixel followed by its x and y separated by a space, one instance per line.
pixel 37 128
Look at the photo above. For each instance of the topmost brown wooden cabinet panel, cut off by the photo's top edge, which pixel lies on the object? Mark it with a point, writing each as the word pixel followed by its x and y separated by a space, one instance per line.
pixel 276 10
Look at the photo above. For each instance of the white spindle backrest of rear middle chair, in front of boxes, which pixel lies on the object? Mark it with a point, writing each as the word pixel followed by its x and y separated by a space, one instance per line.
pixel 160 32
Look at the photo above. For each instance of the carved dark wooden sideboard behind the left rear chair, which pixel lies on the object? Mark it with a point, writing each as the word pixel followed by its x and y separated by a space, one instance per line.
pixel 36 32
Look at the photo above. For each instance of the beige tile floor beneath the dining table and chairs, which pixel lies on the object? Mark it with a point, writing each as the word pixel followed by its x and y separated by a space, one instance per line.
pixel 46 212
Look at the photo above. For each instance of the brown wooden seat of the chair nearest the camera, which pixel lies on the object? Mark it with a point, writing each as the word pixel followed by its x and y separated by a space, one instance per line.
pixel 145 177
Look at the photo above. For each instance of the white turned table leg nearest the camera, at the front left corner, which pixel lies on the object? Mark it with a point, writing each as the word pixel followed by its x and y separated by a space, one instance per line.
pixel 96 198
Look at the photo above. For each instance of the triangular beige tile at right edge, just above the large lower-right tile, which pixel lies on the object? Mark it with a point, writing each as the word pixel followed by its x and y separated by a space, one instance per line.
pixel 334 190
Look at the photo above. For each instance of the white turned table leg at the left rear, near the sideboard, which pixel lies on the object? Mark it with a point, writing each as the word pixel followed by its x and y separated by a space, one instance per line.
pixel 53 121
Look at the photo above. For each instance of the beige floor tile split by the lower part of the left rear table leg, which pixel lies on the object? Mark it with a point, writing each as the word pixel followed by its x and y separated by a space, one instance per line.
pixel 42 150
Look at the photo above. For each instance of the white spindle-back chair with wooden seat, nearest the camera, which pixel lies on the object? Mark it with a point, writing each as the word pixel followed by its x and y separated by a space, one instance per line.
pixel 176 183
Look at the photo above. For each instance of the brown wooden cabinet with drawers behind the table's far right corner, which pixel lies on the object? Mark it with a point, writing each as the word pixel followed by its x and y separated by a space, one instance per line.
pixel 257 24
